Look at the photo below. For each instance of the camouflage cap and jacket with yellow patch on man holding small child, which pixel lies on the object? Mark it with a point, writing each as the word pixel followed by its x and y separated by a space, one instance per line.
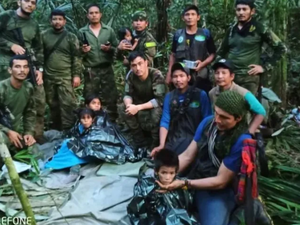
pixel 147 42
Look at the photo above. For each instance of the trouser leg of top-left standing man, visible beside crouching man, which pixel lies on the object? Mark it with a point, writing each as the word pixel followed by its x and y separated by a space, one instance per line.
pixel 40 104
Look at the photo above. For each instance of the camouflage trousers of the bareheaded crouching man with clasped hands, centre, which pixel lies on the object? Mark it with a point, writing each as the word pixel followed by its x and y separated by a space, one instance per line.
pixel 142 124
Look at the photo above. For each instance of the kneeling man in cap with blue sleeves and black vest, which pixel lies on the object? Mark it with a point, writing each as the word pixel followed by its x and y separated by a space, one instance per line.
pixel 184 108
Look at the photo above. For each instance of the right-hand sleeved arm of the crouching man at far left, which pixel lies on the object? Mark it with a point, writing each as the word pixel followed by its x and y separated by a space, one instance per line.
pixel 29 117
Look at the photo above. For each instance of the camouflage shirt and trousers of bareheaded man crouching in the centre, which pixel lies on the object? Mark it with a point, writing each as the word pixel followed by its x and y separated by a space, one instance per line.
pixel 150 90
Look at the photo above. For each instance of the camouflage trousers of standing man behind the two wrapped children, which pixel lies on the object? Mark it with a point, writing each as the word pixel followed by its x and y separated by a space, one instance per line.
pixel 101 81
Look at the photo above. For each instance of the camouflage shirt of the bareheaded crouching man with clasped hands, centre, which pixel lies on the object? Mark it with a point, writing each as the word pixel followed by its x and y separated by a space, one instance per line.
pixel 152 89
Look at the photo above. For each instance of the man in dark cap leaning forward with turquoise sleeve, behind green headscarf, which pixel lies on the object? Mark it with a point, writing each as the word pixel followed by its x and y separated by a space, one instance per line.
pixel 224 77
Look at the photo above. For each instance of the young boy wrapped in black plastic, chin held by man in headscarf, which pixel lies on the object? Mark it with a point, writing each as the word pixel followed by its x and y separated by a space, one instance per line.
pixel 150 205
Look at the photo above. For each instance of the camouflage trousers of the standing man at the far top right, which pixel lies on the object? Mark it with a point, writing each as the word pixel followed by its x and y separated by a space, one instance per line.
pixel 251 83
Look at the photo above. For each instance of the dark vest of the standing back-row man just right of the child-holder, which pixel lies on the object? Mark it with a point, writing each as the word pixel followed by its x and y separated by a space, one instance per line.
pixel 197 49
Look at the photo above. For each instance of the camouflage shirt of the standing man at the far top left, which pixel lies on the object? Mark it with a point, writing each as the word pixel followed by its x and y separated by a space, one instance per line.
pixel 9 21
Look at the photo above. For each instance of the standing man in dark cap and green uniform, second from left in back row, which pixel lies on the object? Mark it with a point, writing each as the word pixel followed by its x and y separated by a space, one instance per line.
pixel 62 71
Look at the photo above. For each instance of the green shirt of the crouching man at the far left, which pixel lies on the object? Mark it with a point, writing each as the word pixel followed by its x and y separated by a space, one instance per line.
pixel 21 104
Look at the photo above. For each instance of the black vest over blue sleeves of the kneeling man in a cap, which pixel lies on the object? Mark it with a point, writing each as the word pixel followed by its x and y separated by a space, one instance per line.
pixel 185 116
